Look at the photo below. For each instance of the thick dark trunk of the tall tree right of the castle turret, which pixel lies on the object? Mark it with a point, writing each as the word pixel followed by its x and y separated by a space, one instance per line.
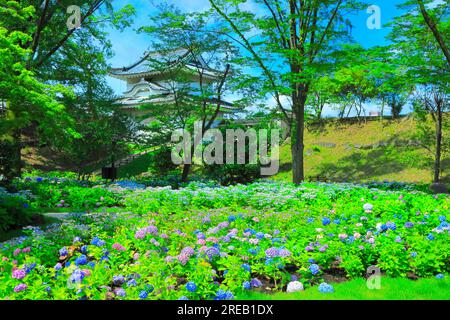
pixel 297 139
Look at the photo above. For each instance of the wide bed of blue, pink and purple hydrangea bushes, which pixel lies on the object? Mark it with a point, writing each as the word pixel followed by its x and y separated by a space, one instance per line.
pixel 206 242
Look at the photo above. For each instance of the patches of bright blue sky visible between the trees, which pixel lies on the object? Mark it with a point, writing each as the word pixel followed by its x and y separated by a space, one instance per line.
pixel 129 45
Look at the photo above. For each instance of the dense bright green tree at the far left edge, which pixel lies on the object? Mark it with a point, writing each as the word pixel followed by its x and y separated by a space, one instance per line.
pixel 38 32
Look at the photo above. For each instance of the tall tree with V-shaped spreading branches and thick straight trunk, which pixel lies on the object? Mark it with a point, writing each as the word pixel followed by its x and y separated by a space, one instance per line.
pixel 289 41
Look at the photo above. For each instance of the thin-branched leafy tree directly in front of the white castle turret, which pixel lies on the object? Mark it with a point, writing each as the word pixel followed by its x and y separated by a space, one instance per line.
pixel 197 93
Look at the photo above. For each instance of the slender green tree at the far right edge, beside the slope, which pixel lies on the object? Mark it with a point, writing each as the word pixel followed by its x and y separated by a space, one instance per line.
pixel 422 52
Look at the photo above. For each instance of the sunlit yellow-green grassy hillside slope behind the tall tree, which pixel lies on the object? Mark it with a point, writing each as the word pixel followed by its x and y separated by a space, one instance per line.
pixel 363 152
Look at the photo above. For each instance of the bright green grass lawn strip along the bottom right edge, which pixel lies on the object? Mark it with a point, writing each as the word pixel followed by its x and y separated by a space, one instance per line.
pixel 391 289
